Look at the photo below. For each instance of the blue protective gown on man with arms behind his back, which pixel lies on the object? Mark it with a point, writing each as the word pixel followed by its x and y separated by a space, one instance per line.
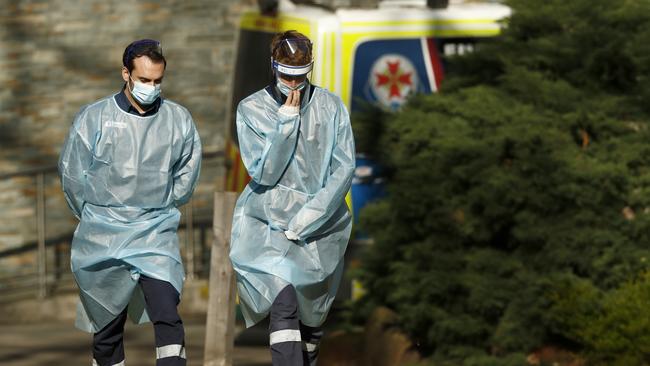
pixel 123 176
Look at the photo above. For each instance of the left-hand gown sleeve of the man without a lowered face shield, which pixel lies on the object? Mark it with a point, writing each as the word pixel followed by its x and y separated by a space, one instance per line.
pixel 74 161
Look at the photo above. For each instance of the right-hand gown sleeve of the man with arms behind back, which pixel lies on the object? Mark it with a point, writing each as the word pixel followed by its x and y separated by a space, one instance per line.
pixel 188 167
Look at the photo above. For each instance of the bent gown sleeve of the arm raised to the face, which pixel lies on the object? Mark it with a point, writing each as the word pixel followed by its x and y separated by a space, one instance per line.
pixel 266 147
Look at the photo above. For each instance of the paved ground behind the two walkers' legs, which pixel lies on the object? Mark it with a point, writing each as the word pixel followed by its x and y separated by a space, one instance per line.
pixel 60 344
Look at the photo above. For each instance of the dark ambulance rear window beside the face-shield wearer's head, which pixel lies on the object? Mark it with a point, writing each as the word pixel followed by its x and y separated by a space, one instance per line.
pixel 252 69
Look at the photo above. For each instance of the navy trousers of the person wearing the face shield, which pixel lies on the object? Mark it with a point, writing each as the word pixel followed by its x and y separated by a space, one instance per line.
pixel 292 343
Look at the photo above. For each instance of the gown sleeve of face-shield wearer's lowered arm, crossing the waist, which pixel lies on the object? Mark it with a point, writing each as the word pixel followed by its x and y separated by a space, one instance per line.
pixel 327 200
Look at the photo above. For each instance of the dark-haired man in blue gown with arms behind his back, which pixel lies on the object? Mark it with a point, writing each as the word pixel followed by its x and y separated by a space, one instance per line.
pixel 129 160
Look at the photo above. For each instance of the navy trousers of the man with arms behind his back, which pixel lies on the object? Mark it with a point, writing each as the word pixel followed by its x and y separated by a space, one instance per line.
pixel 162 300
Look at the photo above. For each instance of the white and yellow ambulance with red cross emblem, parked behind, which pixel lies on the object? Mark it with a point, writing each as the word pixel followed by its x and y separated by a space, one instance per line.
pixel 380 55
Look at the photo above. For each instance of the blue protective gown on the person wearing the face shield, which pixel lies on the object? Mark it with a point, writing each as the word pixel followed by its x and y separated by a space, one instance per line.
pixel 301 168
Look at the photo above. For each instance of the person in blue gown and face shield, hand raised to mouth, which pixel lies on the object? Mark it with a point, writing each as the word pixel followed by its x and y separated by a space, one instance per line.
pixel 291 224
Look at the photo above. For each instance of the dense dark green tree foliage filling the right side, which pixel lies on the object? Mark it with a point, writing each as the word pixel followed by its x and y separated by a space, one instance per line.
pixel 527 176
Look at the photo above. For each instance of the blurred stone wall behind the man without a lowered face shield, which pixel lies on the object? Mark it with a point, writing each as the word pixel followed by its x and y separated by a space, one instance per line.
pixel 58 55
